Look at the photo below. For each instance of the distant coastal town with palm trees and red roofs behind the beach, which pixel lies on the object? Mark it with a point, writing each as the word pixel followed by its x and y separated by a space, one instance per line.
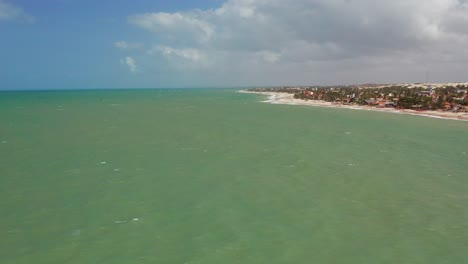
pixel 451 97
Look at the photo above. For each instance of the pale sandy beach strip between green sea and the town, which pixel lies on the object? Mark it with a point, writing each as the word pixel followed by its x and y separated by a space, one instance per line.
pixel 288 99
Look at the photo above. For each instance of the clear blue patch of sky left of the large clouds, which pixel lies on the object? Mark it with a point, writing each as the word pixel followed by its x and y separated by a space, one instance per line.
pixel 70 43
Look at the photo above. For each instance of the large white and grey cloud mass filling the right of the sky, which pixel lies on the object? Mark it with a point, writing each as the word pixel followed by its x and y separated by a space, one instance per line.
pixel 304 40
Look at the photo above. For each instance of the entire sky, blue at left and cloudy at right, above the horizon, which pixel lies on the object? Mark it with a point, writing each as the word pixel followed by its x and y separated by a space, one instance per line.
pixel 85 44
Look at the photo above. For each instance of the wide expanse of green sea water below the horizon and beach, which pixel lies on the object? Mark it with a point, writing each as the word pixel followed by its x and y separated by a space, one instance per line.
pixel 215 176
